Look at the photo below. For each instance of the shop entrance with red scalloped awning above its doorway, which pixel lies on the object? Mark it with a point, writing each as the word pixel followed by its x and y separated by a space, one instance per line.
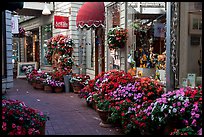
pixel 90 23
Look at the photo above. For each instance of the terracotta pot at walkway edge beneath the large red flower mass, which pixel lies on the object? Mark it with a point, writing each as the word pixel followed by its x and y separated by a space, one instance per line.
pixel 104 118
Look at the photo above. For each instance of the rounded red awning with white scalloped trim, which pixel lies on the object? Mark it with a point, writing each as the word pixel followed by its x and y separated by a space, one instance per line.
pixel 91 14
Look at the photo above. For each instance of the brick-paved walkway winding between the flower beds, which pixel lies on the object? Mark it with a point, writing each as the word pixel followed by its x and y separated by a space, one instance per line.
pixel 69 114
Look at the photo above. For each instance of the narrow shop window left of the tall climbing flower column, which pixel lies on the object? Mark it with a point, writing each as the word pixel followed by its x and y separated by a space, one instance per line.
pixel 46 34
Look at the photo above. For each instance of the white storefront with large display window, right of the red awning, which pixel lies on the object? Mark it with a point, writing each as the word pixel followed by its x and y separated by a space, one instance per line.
pixel 155 40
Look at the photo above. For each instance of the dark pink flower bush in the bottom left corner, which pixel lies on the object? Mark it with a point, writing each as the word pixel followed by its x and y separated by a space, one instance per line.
pixel 19 119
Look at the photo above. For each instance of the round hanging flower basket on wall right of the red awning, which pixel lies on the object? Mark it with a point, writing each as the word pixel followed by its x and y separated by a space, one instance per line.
pixel 117 37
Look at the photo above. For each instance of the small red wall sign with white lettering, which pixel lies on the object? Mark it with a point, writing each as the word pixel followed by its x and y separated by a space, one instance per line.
pixel 61 22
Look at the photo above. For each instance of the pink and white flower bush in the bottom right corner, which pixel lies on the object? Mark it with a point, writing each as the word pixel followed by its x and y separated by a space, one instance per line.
pixel 178 109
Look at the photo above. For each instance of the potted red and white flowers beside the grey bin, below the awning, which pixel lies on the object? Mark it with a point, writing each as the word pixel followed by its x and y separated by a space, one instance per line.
pixel 78 81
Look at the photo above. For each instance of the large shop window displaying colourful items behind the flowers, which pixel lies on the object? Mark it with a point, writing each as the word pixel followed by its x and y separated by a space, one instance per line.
pixel 146 39
